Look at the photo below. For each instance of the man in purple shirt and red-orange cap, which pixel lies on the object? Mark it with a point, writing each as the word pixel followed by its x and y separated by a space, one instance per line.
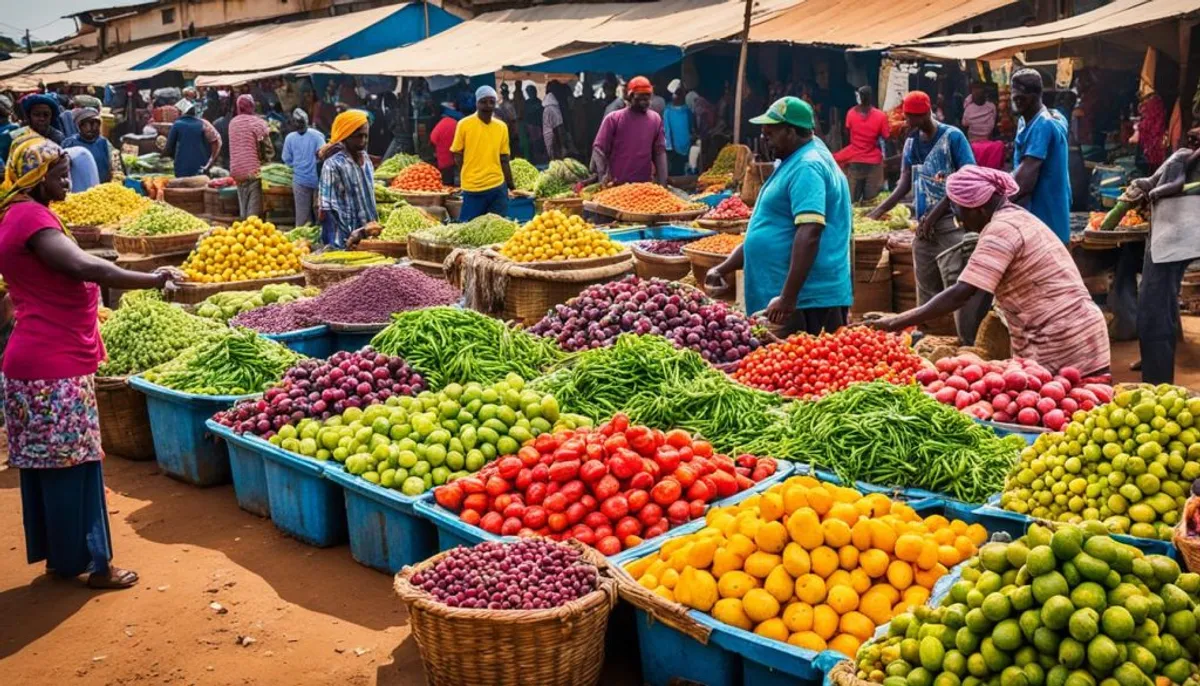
pixel 632 146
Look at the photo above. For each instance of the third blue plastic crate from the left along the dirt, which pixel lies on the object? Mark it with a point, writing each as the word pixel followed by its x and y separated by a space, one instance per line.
pixel 305 504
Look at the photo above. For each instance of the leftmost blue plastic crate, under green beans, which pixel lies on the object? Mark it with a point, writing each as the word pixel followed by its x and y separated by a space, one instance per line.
pixel 183 444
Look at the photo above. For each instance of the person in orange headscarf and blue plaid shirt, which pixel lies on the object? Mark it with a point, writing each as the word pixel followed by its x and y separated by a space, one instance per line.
pixel 347 180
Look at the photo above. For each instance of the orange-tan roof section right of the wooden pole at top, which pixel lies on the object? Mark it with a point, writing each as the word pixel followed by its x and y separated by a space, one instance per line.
pixel 868 23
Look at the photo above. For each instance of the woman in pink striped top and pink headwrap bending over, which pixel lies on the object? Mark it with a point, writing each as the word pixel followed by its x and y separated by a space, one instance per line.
pixel 1018 260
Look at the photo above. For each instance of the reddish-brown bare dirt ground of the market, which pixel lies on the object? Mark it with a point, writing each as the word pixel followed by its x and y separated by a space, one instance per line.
pixel 284 613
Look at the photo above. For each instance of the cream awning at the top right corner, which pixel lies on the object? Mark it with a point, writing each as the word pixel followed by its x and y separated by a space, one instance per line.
pixel 1119 16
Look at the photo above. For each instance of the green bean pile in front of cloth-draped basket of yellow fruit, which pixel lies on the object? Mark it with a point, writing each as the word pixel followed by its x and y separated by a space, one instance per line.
pixel 449 345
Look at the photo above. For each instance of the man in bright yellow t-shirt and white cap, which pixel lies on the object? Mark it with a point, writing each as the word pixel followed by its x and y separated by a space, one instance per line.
pixel 481 149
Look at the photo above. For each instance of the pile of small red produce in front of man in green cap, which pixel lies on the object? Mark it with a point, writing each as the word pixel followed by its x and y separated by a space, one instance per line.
pixel 811 366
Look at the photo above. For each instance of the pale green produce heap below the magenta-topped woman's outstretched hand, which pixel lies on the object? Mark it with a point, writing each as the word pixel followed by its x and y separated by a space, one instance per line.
pixel 145 332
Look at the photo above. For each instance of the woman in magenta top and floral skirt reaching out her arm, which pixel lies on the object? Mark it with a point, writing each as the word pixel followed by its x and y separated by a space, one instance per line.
pixel 50 401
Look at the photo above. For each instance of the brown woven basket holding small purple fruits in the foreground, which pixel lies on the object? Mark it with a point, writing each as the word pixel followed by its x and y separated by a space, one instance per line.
pixel 467 647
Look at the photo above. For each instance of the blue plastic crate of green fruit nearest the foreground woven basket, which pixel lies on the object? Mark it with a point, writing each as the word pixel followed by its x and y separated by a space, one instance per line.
pixel 385 528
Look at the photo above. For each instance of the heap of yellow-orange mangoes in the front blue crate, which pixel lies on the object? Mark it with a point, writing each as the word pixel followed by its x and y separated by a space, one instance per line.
pixel 812 564
